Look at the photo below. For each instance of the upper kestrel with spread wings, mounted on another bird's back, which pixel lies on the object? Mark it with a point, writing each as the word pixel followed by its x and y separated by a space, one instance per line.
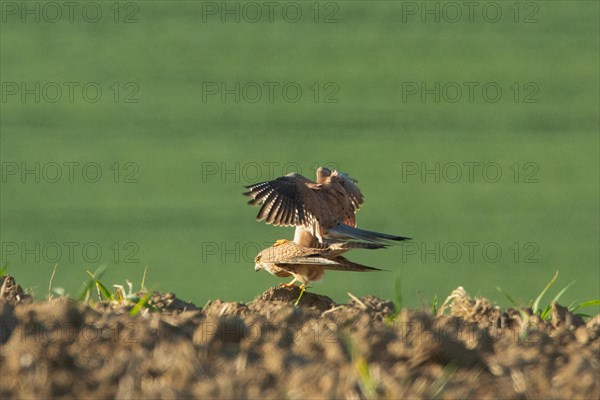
pixel 322 209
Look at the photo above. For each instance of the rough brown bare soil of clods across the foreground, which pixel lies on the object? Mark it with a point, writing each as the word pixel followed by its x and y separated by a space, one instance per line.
pixel 268 348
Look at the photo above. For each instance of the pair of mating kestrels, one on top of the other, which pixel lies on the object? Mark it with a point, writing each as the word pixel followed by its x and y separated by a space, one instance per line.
pixel 323 213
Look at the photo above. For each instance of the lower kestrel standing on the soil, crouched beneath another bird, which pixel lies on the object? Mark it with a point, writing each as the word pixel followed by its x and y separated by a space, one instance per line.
pixel 306 264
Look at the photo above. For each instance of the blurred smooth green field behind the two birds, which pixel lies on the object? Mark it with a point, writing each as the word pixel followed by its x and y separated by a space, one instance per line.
pixel 180 155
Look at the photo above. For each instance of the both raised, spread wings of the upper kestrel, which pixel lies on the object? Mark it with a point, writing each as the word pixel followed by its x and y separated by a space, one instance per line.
pixel 294 200
